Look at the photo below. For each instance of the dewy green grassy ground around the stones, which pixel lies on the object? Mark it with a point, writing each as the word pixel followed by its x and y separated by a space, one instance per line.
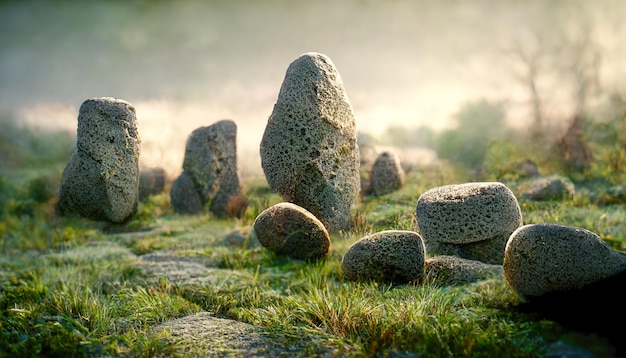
pixel 74 287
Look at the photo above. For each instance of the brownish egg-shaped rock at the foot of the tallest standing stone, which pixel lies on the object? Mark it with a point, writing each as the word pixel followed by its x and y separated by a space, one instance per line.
pixel 288 229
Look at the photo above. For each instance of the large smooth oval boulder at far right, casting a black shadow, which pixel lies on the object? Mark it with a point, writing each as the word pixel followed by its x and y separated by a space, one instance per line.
pixel 545 258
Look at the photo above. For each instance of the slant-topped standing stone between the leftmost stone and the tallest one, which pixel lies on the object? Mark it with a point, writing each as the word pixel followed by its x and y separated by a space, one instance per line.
pixel 210 167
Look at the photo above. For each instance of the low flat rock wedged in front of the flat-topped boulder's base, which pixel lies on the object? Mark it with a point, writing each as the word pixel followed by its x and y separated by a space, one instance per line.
pixel 452 270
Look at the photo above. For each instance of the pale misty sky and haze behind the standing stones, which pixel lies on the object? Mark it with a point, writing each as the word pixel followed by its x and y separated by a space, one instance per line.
pixel 407 66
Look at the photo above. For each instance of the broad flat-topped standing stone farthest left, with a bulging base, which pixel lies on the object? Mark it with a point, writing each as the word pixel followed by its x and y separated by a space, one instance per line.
pixel 101 180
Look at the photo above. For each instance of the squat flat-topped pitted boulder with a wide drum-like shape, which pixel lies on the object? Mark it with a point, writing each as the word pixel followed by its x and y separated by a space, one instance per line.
pixel 472 220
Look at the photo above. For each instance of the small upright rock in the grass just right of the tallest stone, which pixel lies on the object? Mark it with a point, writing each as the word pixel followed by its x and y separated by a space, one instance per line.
pixel 387 174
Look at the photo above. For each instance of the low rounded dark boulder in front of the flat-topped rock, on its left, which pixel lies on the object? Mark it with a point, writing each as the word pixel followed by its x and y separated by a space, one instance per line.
pixel 393 256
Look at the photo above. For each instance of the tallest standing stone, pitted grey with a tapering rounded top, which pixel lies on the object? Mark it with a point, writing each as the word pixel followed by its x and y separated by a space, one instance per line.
pixel 309 150
